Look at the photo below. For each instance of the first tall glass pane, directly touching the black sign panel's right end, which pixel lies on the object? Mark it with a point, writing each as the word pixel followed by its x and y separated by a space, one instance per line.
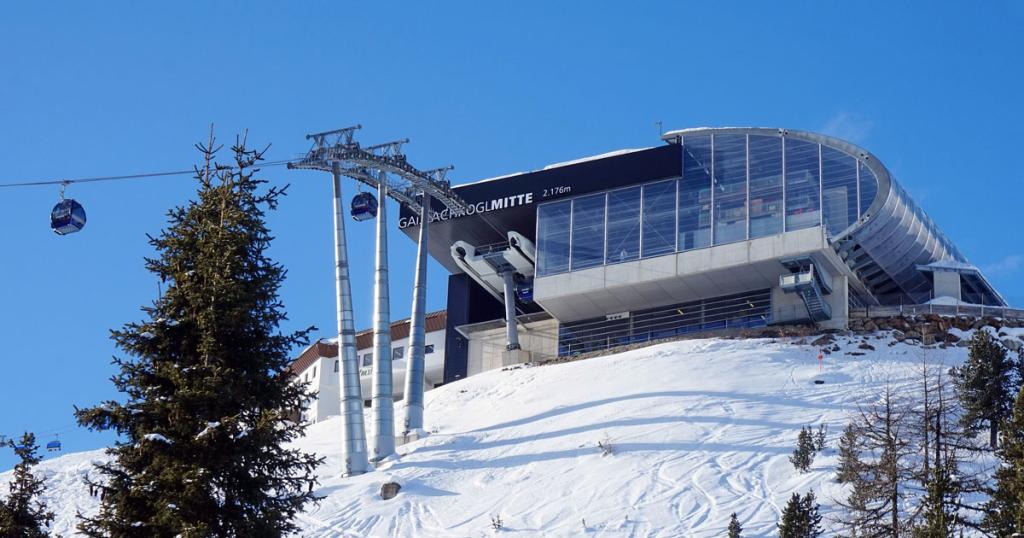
pixel 695 194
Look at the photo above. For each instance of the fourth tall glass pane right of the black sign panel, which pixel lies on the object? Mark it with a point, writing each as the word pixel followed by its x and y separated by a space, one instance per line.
pixel 802 182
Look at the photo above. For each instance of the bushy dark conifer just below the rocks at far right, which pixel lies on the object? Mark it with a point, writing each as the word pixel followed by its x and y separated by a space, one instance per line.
pixel 987 385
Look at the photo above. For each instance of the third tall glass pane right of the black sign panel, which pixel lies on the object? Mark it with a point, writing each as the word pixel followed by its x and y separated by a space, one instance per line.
pixel 766 186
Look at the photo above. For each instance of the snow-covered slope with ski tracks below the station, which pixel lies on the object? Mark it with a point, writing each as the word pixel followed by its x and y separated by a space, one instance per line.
pixel 699 430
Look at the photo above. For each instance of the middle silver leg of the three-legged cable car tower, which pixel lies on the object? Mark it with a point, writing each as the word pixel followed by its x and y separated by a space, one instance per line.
pixel 383 392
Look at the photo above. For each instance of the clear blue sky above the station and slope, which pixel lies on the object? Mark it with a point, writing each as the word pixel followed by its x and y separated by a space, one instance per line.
pixel 933 90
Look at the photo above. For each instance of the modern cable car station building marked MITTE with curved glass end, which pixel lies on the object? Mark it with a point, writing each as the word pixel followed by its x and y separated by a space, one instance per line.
pixel 716 229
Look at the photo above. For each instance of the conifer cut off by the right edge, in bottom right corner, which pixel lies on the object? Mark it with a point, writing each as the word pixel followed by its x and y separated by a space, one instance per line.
pixel 1006 509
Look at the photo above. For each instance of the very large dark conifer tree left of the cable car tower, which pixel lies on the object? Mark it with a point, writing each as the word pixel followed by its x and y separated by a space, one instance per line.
pixel 207 392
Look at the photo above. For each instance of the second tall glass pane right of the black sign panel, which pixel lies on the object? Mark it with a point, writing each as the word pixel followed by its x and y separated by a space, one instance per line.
pixel 731 188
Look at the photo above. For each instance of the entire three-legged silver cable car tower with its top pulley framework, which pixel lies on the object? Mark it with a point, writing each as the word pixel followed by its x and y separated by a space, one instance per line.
pixel 382 168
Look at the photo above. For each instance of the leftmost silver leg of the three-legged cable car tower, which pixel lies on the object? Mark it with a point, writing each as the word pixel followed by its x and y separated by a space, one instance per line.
pixel 354 431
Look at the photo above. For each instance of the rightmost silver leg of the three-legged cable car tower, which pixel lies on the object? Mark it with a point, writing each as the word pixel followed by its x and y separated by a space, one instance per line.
pixel 415 367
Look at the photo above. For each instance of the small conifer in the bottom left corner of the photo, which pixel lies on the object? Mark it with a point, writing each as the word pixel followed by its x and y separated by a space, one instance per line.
pixel 23 514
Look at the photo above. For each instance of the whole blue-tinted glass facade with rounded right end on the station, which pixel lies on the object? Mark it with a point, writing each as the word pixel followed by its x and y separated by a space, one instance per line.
pixel 735 187
